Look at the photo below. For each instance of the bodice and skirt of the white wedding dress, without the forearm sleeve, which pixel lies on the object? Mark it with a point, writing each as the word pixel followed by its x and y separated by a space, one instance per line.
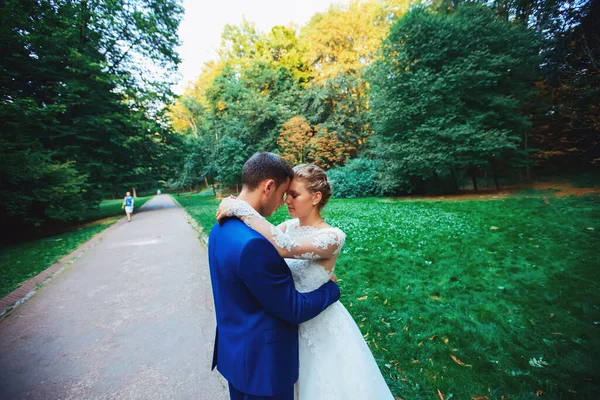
pixel 335 361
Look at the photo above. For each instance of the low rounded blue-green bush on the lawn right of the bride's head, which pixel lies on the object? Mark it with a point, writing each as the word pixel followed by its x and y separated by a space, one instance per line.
pixel 358 178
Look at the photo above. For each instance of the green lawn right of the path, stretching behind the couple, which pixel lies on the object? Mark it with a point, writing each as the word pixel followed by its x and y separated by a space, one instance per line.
pixel 472 298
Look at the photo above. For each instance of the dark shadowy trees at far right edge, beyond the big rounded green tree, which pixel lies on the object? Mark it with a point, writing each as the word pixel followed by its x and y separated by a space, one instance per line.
pixel 567 128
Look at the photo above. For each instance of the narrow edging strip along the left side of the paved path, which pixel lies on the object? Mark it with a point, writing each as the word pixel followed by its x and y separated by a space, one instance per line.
pixel 27 290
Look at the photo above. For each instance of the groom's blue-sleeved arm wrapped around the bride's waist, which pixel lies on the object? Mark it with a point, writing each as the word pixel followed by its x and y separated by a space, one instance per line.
pixel 272 285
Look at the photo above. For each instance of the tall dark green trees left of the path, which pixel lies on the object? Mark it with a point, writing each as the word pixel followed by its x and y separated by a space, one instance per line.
pixel 81 118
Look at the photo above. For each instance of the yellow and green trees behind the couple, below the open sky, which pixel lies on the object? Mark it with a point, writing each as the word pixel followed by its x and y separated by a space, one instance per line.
pixel 264 87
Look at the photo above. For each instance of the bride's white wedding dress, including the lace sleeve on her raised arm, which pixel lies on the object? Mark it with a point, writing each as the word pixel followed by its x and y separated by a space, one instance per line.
pixel 335 361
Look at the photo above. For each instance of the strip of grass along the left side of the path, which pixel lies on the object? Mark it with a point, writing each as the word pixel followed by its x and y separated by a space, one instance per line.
pixel 19 262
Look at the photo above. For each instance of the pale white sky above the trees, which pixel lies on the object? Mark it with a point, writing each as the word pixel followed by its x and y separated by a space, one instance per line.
pixel 204 20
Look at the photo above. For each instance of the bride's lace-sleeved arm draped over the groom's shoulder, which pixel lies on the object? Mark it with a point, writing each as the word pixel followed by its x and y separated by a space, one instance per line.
pixel 322 244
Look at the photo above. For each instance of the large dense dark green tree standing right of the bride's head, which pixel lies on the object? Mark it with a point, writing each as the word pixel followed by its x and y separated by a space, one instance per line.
pixel 448 94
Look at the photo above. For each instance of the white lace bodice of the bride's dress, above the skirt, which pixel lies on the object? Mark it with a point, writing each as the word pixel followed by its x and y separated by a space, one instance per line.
pixel 308 274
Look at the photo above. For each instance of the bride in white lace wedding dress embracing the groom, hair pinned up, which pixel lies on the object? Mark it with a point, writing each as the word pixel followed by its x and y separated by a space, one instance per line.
pixel 335 361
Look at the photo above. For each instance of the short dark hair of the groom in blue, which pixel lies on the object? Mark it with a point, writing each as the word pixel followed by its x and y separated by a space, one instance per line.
pixel 264 165
